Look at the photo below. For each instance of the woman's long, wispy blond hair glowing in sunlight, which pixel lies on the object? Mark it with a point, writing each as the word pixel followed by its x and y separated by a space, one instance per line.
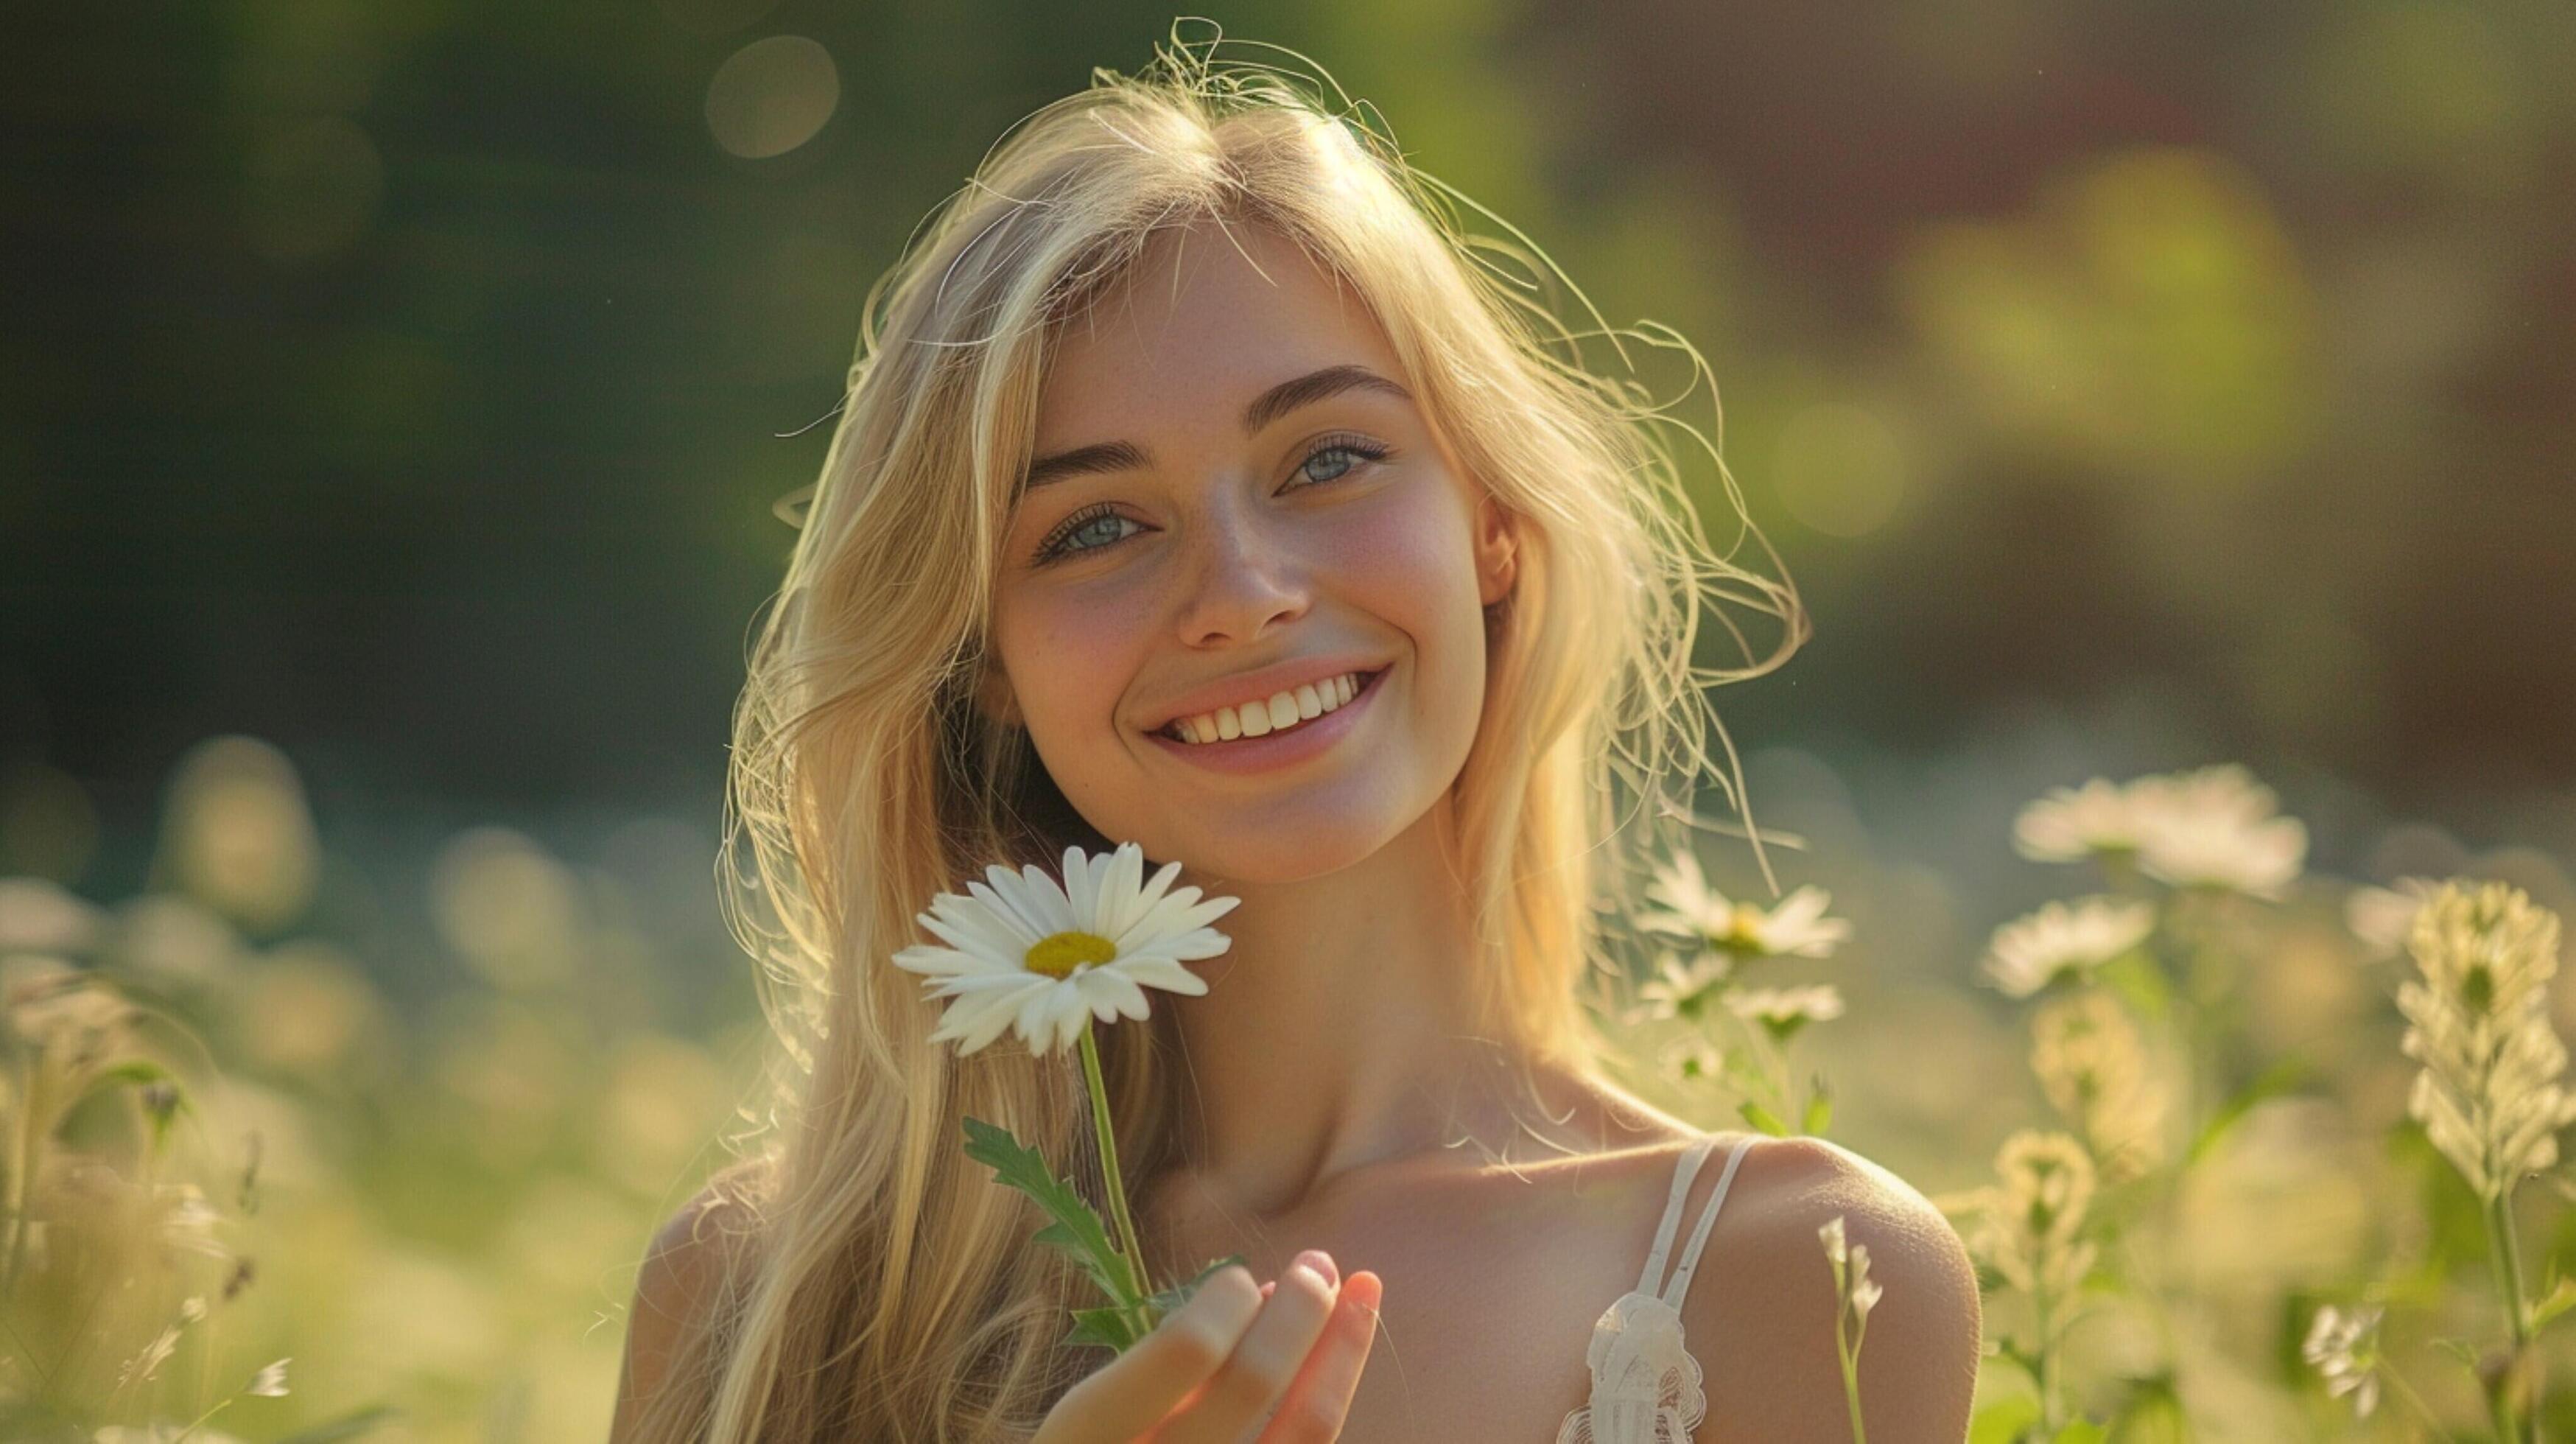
pixel 890 1288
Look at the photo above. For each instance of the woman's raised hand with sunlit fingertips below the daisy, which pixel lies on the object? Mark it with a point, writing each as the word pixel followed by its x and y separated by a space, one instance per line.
pixel 1233 1358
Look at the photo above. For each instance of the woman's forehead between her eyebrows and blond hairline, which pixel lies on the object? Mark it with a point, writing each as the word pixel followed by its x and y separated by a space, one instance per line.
pixel 1207 321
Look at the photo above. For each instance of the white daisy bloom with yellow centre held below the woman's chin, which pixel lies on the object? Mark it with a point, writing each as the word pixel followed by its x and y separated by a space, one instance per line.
pixel 1045 961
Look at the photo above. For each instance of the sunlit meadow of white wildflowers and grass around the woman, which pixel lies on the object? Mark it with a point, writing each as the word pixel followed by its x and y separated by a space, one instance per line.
pixel 2240 1151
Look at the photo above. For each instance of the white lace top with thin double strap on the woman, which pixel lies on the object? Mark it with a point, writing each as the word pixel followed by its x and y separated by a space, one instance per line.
pixel 1645 1381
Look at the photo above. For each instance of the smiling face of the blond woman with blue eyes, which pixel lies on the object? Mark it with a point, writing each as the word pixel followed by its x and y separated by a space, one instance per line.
pixel 1171 561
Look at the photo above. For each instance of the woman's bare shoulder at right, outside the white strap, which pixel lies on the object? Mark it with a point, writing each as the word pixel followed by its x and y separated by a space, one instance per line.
pixel 1761 1314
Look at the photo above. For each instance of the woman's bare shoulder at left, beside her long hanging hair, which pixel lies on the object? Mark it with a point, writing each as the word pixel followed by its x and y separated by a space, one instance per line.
pixel 694 1257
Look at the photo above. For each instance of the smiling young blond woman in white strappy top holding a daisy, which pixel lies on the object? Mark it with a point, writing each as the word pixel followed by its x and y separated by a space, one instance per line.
pixel 1194 401
